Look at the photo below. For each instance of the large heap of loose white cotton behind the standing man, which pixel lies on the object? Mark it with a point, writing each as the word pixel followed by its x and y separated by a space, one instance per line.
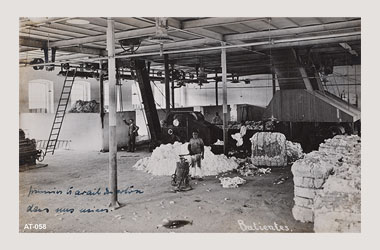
pixel 164 158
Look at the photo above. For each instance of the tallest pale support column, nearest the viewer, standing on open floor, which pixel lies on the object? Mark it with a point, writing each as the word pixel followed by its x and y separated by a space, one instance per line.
pixel 112 167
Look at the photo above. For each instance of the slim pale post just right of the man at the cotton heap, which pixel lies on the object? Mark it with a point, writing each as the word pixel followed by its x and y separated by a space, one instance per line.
pixel 224 80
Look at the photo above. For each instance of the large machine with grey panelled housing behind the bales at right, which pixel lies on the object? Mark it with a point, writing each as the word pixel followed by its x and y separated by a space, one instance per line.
pixel 311 116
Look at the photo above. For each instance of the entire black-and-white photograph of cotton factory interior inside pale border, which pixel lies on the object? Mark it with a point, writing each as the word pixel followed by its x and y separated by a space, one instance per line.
pixel 190 124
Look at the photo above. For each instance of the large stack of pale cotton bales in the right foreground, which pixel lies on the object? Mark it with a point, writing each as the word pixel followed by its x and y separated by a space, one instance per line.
pixel 328 186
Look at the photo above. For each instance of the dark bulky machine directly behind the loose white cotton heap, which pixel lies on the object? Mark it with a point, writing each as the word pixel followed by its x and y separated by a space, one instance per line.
pixel 183 123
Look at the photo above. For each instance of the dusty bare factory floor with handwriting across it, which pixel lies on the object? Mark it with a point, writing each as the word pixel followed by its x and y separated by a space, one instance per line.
pixel 258 205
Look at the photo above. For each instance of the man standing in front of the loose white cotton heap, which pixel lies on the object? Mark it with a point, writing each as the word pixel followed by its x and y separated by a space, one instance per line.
pixel 196 151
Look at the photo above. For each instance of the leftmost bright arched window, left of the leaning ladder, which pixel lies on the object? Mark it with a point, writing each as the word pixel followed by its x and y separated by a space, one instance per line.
pixel 41 96
